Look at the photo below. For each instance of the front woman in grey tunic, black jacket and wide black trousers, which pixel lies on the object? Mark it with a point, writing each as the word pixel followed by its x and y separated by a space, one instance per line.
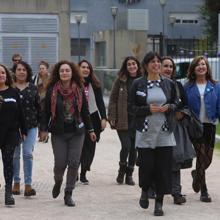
pixel 152 102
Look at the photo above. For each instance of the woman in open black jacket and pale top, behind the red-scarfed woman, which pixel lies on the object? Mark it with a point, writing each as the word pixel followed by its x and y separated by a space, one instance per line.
pixel 93 92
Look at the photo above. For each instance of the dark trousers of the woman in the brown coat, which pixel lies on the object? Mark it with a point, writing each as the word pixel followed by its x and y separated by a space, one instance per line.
pixel 128 153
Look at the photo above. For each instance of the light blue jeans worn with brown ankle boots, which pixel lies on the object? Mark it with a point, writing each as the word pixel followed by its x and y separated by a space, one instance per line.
pixel 27 148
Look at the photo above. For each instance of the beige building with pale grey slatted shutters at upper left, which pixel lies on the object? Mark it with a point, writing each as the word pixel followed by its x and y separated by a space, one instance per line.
pixel 38 30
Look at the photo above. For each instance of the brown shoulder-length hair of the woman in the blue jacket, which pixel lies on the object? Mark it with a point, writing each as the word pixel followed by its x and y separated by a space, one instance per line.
pixel 191 70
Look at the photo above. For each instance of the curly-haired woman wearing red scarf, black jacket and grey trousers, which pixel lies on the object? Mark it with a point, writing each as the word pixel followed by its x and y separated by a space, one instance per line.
pixel 66 115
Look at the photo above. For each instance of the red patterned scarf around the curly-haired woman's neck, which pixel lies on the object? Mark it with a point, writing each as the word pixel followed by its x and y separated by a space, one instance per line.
pixel 70 95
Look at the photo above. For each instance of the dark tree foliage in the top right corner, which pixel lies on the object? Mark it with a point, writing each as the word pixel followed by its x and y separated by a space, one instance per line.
pixel 209 12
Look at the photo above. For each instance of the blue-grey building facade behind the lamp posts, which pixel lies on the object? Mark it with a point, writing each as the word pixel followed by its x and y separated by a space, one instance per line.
pixel 175 20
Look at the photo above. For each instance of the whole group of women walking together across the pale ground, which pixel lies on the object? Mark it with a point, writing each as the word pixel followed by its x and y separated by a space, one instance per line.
pixel 146 107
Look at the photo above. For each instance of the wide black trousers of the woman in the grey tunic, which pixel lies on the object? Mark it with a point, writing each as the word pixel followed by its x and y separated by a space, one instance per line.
pixel 155 166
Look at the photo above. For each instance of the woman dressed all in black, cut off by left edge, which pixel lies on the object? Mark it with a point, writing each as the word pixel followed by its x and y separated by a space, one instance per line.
pixel 12 128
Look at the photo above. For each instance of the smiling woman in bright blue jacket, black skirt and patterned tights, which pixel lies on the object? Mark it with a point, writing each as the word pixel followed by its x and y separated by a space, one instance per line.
pixel 203 95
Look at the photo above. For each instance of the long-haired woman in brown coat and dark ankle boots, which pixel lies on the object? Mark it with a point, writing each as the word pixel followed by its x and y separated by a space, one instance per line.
pixel 120 119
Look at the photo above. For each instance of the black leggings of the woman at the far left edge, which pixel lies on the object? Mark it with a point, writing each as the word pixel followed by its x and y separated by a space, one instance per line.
pixel 7 159
